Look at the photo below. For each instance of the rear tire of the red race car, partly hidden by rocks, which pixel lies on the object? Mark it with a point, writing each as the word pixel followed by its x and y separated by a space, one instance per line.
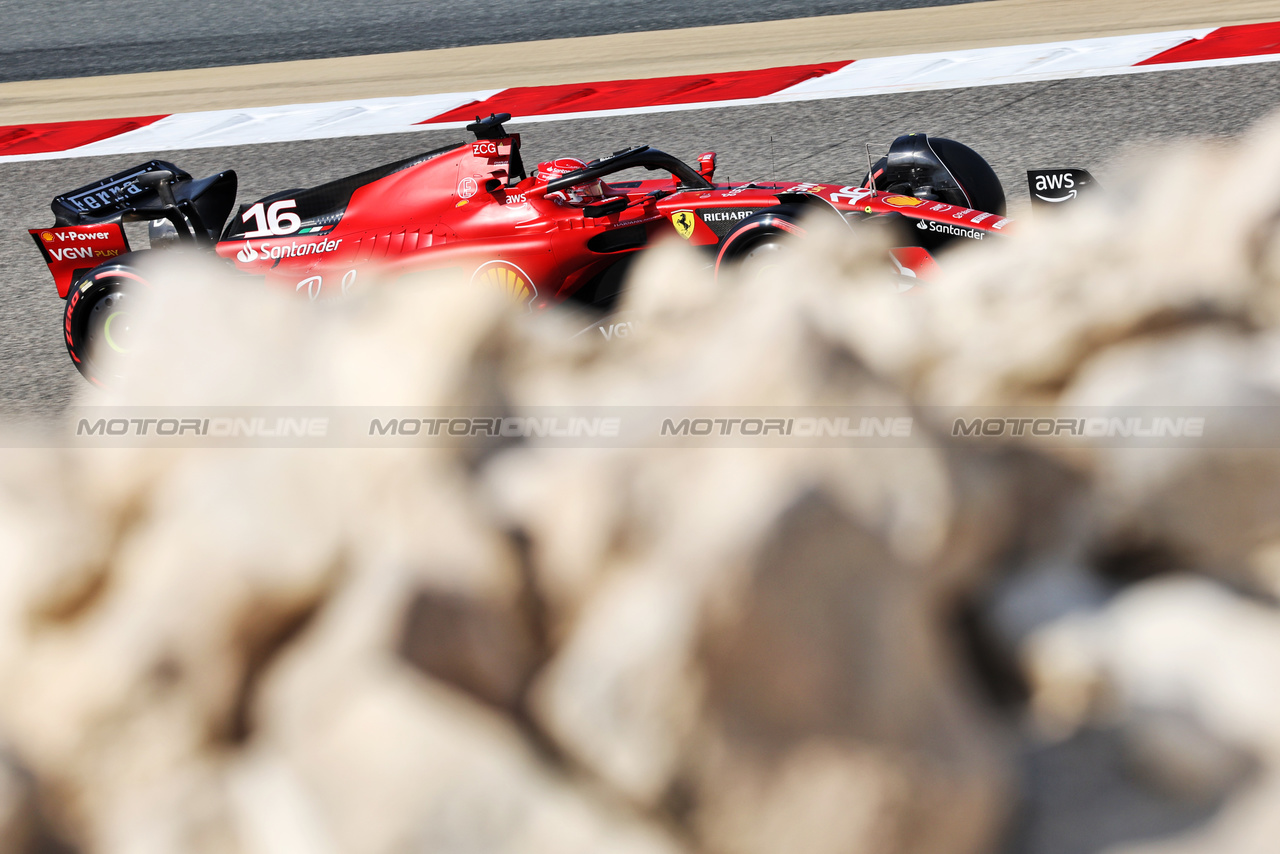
pixel 99 321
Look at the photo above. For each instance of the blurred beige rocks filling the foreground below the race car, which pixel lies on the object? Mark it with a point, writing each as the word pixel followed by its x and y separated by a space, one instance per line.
pixel 948 649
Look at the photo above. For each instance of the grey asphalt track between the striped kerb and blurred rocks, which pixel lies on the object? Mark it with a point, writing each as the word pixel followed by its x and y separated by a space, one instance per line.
pixel 1082 122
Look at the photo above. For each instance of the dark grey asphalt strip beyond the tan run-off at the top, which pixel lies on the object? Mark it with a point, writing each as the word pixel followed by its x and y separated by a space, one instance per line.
pixel 84 39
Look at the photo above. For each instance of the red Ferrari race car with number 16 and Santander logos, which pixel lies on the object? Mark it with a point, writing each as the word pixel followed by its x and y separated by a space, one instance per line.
pixel 566 232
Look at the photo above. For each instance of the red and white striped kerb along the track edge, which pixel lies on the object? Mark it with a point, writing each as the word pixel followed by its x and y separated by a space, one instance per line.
pixel 371 117
